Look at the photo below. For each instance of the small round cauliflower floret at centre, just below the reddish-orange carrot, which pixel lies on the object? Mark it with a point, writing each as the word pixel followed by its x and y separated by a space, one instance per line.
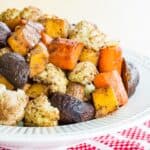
pixel 83 73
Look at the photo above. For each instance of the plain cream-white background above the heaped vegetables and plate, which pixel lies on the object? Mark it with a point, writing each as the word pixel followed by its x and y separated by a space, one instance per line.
pixel 126 20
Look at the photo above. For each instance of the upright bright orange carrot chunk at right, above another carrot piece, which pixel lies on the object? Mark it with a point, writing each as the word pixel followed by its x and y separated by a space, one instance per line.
pixel 110 59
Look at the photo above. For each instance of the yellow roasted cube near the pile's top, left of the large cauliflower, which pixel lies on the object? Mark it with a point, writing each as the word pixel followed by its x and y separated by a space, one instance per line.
pixel 56 27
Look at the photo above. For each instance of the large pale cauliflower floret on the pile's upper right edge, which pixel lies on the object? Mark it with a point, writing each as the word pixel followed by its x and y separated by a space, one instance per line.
pixel 88 34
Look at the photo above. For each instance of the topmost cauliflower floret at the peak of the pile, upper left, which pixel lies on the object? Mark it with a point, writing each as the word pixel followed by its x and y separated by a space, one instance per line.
pixel 31 13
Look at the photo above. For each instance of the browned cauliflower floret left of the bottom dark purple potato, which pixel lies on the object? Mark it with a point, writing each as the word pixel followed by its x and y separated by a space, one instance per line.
pixel 40 113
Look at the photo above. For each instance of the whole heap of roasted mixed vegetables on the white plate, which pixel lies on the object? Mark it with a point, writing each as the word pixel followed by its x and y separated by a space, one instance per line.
pixel 53 72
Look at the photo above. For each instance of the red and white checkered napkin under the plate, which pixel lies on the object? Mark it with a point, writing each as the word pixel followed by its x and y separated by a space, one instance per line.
pixel 133 138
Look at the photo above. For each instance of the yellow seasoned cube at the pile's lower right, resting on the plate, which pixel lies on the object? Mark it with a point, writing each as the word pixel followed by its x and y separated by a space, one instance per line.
pixel 105 101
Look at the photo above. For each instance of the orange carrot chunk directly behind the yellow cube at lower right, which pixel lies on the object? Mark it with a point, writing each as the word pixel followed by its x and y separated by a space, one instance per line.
pixel 112 79
